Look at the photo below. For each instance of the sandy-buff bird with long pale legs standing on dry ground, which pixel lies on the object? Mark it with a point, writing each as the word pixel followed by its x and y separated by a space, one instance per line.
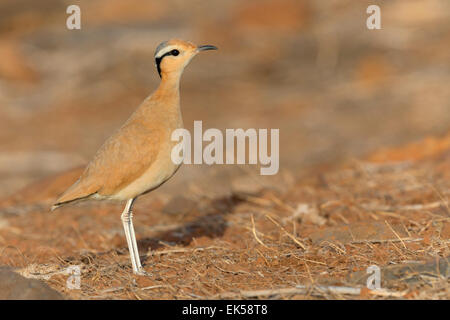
pixel 136 159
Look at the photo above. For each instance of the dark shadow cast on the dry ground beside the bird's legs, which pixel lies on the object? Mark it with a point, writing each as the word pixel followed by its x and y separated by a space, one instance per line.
pixel 211 225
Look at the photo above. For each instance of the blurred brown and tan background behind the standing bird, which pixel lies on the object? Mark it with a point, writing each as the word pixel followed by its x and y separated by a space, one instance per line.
pixel 335 89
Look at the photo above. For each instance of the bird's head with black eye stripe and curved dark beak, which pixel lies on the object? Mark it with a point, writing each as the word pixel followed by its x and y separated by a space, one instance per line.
pixel 172 56
